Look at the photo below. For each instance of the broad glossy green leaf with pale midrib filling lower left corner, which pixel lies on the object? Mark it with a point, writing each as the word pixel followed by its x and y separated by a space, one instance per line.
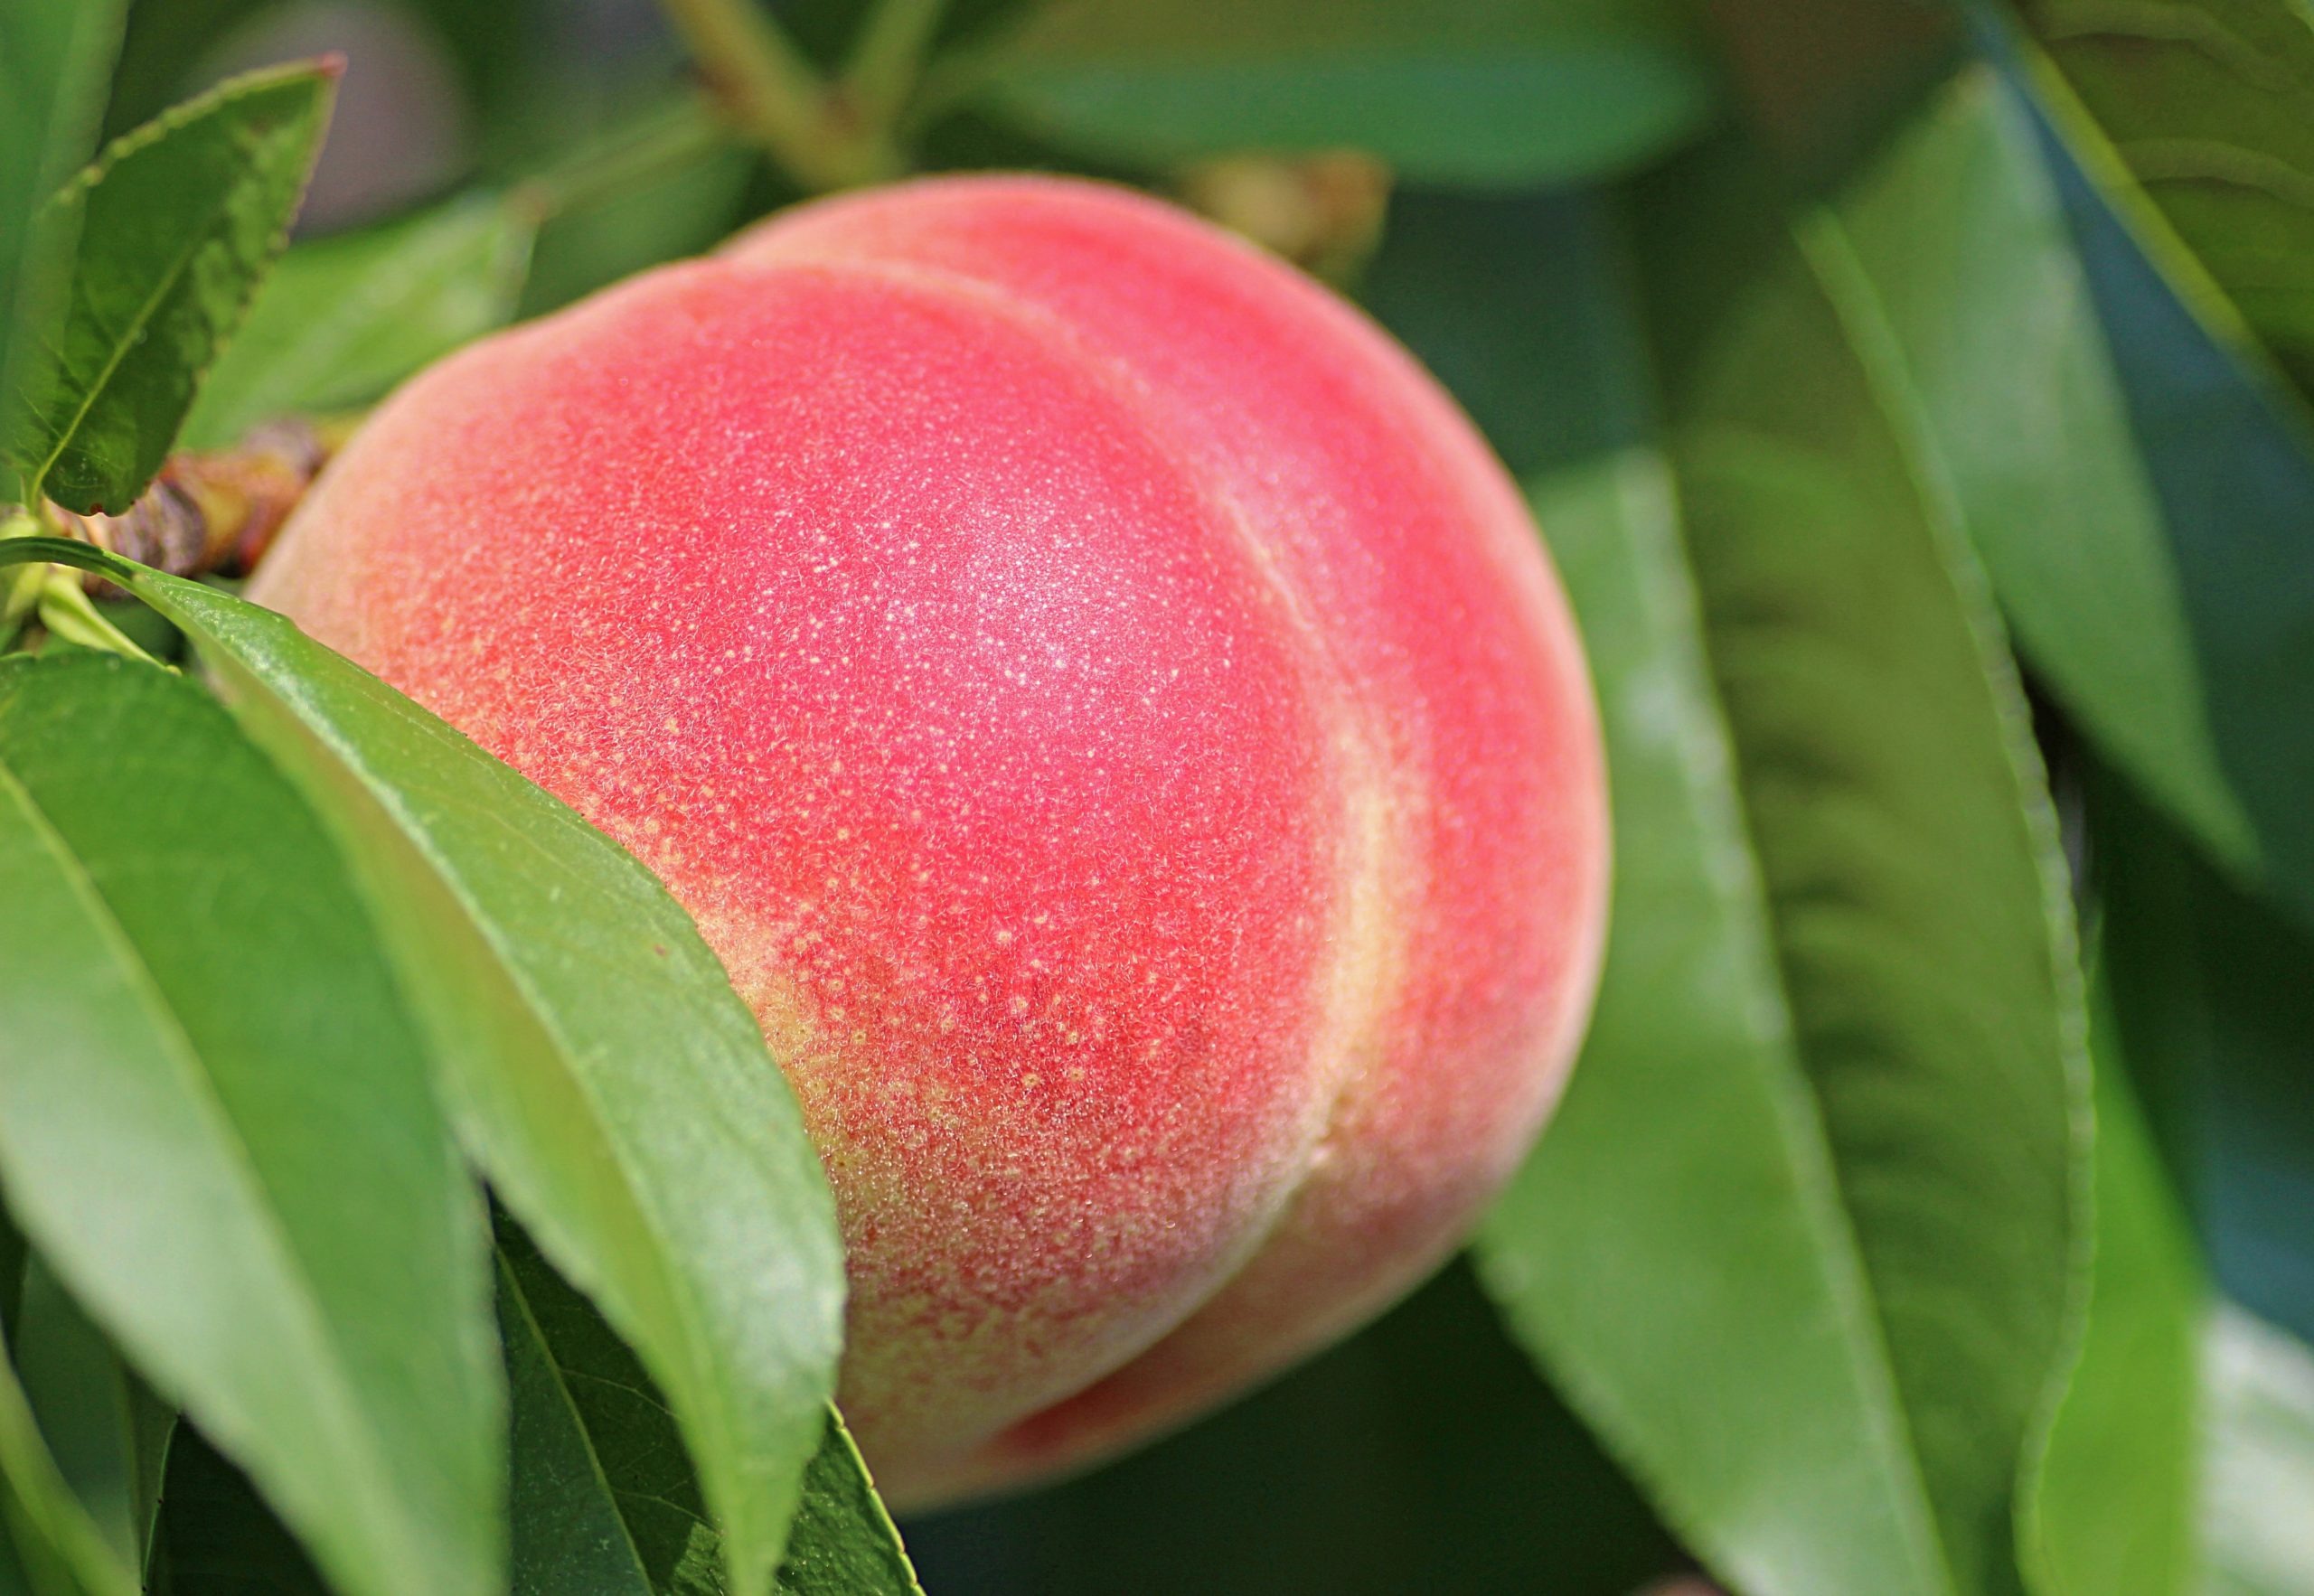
pixel 216 1123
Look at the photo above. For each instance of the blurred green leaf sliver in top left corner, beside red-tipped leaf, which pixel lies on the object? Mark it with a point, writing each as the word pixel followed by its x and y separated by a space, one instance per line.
pixel 52 91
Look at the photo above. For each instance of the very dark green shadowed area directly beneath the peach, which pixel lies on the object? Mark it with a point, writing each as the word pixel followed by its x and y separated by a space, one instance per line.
pixel 1417 1456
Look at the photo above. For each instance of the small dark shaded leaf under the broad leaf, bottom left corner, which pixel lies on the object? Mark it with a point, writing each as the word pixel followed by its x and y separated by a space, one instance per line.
pixel 110 1438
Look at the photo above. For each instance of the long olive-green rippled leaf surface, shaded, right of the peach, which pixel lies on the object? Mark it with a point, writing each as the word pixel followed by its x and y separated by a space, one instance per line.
pixel 1913 885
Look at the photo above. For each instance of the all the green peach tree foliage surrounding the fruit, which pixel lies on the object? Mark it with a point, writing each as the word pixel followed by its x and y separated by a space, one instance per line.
pixel 1915 406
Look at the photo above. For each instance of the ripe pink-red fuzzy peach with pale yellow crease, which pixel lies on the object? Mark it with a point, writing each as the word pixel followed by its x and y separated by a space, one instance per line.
pixel 1114 721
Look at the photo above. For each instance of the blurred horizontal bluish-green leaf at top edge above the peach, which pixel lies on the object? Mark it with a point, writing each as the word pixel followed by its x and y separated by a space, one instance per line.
pixel 1454 91
